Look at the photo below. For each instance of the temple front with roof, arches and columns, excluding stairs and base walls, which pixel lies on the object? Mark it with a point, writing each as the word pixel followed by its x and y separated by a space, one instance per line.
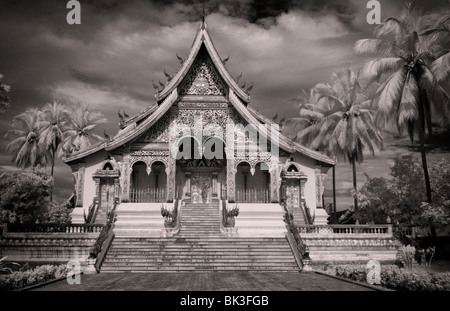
pixel 200 143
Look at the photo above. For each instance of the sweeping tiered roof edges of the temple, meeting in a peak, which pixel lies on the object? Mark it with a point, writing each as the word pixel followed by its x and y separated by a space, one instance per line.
pixel 133 127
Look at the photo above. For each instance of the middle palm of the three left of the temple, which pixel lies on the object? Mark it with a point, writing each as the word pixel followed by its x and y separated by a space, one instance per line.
pixel 54 117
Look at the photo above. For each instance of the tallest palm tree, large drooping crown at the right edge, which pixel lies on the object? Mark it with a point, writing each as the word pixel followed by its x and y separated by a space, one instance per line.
pixel 413 58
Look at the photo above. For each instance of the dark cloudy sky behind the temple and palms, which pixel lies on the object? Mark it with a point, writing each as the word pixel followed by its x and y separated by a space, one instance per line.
pixel 110 60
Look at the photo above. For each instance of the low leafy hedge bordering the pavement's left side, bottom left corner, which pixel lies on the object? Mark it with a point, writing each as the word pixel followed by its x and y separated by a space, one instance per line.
pixel 20 279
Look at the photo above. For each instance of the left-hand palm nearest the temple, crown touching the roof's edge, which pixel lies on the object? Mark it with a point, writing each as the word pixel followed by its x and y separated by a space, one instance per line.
pixel 79 134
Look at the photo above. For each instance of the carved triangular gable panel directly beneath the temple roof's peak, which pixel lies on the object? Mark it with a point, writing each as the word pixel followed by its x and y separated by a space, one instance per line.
pixel 202 78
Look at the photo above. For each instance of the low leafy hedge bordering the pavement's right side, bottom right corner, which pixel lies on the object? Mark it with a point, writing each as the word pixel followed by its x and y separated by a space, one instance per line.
pixel 396 278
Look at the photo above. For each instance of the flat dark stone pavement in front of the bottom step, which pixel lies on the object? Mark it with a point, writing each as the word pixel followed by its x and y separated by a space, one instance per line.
pixel 216 281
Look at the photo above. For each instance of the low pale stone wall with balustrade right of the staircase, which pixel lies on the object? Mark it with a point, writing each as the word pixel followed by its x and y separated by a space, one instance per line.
pixel 351 243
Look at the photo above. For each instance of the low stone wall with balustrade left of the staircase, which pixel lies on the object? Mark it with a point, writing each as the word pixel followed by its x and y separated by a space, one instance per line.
pixel 47 247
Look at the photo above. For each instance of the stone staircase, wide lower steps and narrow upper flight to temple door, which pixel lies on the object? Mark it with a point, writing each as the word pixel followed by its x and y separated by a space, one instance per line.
pixel 199 247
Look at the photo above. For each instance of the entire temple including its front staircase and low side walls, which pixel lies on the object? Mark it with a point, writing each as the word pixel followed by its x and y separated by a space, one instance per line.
pixel 199 182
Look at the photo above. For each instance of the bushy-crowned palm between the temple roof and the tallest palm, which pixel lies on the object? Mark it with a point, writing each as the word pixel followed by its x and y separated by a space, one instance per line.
pixel 346 124
